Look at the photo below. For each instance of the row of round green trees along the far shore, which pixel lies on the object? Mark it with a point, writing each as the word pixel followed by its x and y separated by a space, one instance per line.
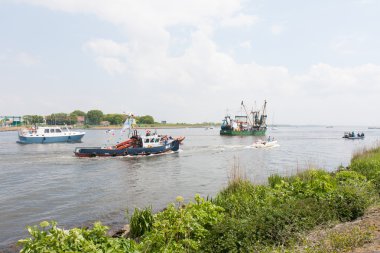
pixel 92 117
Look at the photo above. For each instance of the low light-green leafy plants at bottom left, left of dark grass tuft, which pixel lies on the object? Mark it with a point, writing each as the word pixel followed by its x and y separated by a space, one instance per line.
pixel 49 238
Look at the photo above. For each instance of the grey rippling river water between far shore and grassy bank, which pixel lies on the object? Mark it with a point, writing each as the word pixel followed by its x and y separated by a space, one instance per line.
pixel 46 182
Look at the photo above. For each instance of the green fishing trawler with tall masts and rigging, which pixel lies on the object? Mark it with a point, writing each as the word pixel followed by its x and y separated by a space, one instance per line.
pixel 253 123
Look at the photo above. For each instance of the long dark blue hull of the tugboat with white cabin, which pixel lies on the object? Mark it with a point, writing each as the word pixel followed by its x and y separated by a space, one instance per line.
pixel 93 152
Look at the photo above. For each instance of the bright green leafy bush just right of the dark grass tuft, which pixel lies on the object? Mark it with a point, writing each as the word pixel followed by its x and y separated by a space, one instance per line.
pixel 182 228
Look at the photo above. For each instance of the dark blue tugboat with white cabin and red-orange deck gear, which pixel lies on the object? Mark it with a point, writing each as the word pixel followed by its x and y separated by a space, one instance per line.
pixel 135 146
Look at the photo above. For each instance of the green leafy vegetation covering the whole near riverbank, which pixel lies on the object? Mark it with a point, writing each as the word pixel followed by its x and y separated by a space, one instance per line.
pixel 243 217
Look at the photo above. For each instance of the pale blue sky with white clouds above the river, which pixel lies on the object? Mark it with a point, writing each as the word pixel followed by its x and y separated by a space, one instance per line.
pixel 315 62
